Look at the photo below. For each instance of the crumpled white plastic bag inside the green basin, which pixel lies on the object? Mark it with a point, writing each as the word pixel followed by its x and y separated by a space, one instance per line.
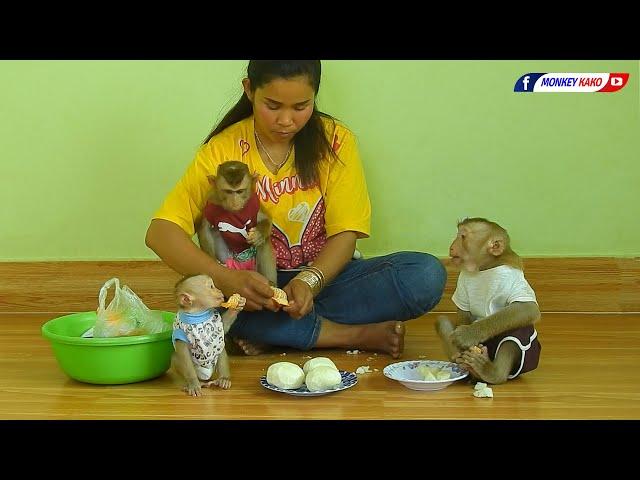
pixel 126 315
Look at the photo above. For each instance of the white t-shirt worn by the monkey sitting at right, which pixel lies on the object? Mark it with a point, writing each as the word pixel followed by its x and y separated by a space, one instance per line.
pixel 485 292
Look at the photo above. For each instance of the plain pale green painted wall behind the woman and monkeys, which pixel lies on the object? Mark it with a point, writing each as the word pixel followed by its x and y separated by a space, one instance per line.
pixel 88 150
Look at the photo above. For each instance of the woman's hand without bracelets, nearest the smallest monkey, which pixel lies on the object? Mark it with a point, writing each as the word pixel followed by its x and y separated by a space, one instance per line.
pixel 250 285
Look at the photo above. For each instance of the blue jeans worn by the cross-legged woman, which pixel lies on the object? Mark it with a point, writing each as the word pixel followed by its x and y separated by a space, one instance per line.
pixel 399 286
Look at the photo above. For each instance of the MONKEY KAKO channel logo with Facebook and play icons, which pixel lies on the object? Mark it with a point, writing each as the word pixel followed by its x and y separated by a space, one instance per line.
pixel 571 82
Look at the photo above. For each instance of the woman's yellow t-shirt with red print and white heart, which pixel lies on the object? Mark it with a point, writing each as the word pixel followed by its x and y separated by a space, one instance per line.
pixel 302 219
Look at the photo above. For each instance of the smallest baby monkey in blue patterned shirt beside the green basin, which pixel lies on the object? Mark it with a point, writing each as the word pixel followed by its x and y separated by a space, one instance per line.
pixel 198 334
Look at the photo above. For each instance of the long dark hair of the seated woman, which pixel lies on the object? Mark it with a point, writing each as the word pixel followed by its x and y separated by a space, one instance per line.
pixel 311 141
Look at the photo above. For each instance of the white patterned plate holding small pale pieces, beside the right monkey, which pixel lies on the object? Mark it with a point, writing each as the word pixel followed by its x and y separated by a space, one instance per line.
pixel 407 374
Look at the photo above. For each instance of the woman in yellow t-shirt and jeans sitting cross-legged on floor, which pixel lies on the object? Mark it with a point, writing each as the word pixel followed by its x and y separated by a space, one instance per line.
pixel 312 185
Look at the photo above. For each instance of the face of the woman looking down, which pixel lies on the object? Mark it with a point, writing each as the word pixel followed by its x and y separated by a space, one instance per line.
pixel 282 107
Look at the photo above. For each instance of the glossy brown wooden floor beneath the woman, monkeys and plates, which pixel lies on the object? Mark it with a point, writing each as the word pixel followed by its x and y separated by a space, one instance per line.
pixel 589 369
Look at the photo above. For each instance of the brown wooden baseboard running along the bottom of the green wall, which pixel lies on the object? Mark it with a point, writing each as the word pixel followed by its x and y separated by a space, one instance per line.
pixel 561 284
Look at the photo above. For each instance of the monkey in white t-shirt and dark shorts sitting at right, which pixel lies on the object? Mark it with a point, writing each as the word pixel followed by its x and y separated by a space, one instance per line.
pixel 493 335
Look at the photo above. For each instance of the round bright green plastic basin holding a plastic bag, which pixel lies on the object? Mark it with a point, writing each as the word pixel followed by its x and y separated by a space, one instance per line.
pixel 109 361
